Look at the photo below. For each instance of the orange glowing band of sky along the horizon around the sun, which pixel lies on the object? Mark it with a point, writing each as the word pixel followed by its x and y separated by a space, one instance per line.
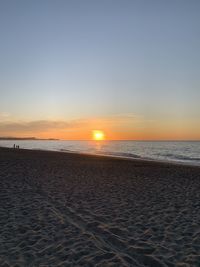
pixel 121 127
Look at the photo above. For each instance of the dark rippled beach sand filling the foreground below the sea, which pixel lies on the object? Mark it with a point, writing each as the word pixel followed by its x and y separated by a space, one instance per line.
pixel 61 209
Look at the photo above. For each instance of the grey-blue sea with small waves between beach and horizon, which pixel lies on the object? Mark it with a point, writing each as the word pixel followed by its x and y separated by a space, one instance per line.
pixel 182 151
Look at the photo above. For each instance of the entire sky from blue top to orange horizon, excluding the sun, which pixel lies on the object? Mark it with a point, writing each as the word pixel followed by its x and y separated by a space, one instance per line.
pixel 130 68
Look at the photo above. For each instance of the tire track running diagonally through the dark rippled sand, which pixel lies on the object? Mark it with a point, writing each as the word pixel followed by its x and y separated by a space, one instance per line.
pixel 102 239
